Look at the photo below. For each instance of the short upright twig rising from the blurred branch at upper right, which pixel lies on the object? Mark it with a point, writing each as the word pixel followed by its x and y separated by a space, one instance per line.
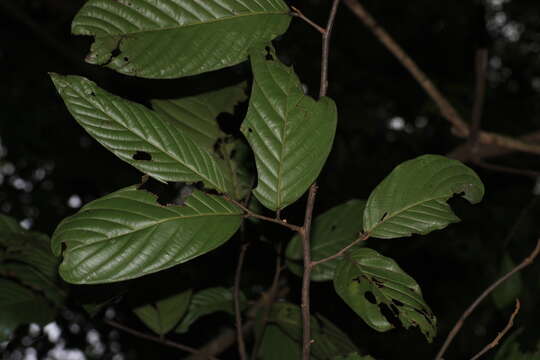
pixel 481 59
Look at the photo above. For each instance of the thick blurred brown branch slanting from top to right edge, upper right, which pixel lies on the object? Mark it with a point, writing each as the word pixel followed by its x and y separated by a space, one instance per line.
pixel 447 110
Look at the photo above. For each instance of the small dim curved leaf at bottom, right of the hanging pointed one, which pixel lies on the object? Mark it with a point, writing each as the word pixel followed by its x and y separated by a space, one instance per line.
pixel 208 301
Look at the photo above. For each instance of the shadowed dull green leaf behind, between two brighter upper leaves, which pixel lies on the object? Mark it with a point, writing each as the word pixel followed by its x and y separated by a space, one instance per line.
pixel 196 116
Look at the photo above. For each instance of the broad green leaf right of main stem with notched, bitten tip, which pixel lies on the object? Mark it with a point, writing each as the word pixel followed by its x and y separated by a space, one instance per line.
pixel 412 199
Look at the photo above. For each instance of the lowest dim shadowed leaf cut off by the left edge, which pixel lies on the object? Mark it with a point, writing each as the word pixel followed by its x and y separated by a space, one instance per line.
pixel 19 306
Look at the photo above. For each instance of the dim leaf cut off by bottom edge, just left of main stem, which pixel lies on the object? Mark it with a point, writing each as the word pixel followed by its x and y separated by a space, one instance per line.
pixel 277 345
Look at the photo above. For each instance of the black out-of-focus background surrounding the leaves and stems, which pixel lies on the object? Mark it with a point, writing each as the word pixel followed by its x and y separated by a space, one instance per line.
pixel 46 159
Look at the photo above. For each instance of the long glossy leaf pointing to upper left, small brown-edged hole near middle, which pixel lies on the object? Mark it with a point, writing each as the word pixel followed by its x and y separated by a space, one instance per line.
pixel 138 135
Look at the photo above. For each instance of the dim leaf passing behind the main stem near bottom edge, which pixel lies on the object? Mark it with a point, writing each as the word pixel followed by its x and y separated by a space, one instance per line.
pixel 329 340
